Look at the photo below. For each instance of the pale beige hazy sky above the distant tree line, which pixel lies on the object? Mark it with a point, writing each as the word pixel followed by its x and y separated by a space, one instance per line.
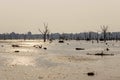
pixel 61 15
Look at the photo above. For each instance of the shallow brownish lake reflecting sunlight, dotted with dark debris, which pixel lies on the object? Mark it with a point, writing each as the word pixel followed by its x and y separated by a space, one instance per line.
pixel 36 60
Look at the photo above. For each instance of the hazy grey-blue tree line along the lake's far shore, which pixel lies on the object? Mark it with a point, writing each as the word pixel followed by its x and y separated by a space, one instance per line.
pixel 65 36
